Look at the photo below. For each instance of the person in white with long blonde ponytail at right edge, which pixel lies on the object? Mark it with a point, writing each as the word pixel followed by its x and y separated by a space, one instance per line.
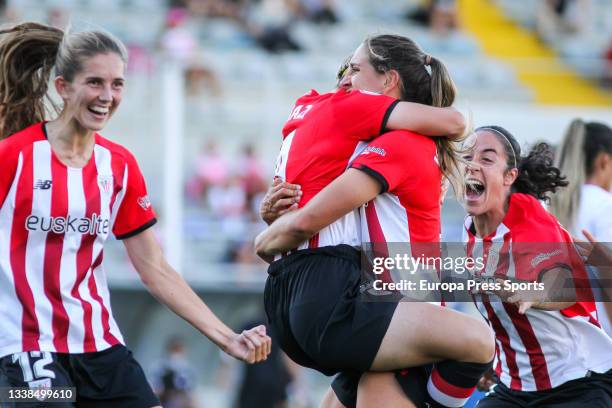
pixel 585 158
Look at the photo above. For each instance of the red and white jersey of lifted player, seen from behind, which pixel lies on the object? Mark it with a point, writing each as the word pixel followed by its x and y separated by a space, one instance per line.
pixel 321 136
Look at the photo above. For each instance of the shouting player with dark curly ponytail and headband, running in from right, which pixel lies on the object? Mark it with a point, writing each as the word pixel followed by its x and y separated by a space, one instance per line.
pixel 550 349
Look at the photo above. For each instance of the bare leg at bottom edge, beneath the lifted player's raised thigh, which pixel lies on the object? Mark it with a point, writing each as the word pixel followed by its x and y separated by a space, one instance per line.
pixel 381 390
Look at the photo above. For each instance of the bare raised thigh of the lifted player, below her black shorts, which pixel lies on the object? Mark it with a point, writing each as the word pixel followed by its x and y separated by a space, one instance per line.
pixel 422 333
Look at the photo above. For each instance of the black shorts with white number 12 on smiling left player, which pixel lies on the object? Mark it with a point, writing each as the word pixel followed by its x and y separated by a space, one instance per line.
pixel 108 378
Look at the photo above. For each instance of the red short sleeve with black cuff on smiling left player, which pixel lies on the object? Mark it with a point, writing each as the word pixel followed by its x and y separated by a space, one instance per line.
pixel 135 213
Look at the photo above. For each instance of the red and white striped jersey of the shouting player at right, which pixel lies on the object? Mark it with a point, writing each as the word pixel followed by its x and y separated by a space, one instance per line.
pixel 540 349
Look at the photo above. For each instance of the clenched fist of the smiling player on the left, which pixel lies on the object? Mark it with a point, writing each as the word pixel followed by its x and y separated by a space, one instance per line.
pixel 250 346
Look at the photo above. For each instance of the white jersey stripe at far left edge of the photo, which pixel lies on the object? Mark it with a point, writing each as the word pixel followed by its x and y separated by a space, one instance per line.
pixel 10 329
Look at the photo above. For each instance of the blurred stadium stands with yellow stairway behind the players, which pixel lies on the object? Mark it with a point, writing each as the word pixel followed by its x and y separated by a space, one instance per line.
pixel 209 78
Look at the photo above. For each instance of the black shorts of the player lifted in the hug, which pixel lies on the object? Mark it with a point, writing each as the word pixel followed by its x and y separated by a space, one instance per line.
pixel 312 300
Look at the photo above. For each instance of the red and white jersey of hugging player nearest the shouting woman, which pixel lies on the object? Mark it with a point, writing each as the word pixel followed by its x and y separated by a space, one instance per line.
pixel 405 217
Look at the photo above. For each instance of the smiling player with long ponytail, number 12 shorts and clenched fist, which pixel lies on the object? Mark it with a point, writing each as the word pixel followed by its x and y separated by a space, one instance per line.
pixel 63 190
